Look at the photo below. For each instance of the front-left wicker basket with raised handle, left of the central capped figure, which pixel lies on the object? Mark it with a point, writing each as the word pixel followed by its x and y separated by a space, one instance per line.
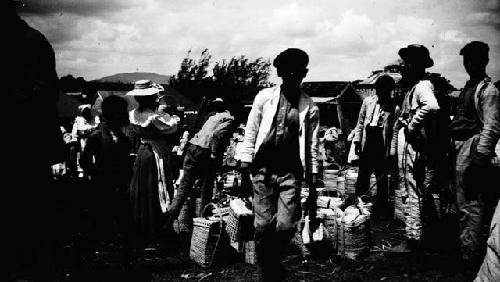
pixel 206 237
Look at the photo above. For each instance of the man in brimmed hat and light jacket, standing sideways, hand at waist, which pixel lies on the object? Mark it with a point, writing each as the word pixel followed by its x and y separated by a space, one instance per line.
pixel 415 141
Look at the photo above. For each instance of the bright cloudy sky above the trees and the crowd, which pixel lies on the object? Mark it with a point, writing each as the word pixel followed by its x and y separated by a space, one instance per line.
pixel 346 40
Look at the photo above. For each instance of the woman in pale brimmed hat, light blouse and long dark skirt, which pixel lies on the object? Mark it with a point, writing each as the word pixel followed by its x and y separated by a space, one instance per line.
pixel 151 188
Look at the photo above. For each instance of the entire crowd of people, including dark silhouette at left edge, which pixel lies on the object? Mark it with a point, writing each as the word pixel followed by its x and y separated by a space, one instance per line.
pixel 129 156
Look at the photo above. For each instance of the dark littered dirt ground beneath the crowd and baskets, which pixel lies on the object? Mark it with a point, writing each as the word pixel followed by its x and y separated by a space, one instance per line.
pixel 85 261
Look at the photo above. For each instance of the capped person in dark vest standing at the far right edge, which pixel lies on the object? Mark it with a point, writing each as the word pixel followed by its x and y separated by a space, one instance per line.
pixel 475 130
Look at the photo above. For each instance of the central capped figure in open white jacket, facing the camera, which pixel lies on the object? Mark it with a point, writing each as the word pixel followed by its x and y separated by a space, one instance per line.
pixel 281 147
